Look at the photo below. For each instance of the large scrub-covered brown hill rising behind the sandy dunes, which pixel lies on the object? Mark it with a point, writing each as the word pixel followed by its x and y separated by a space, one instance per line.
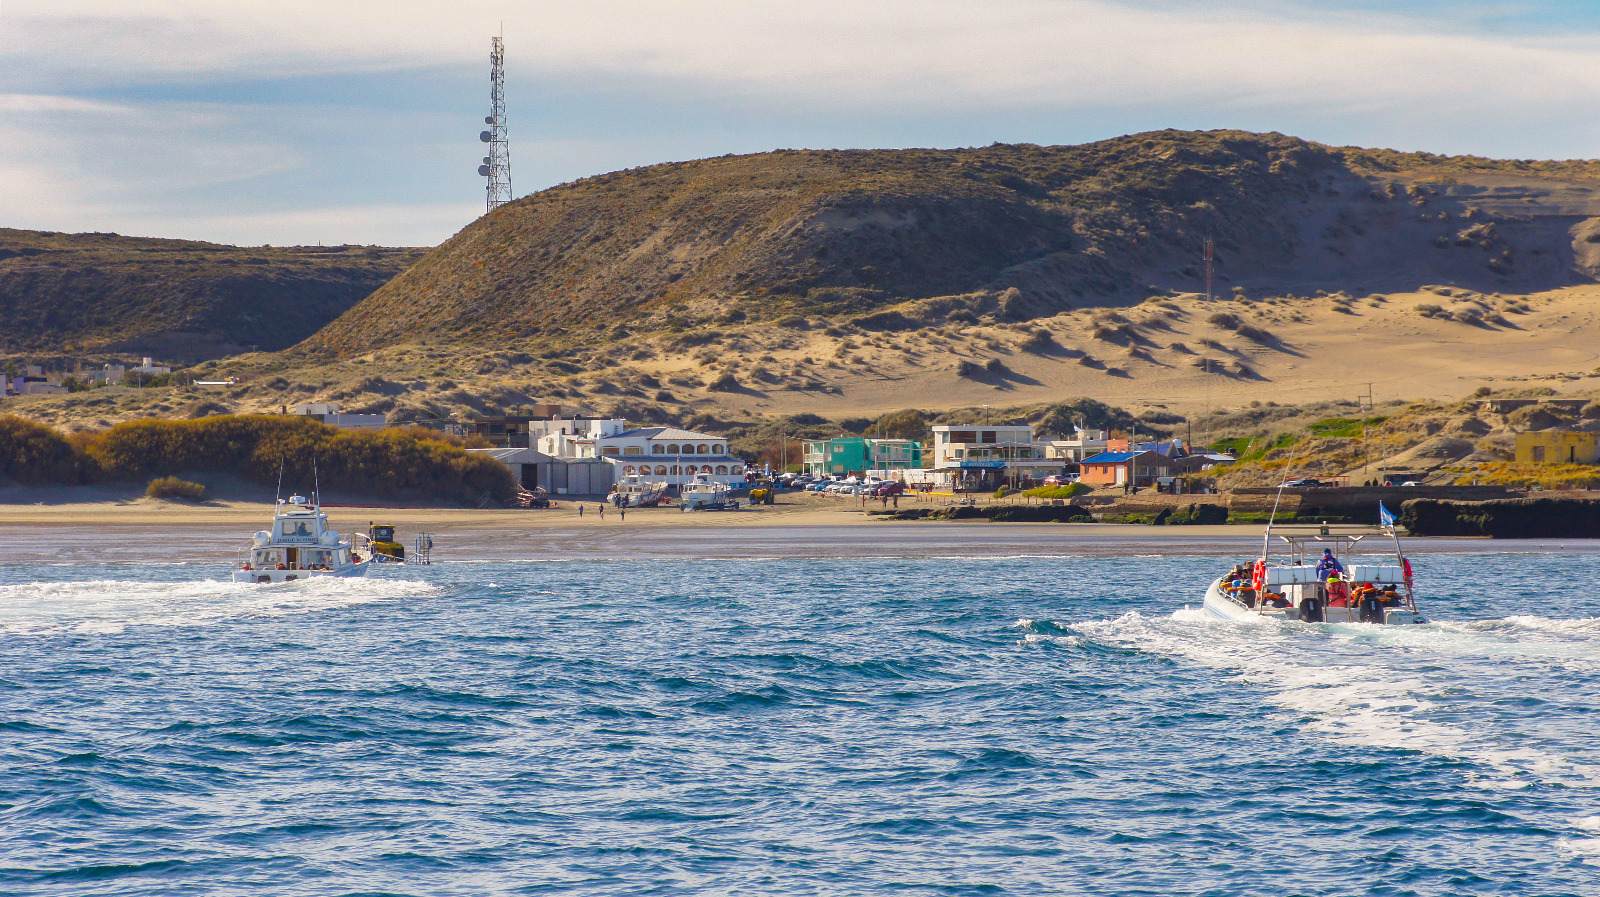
pixel 906 239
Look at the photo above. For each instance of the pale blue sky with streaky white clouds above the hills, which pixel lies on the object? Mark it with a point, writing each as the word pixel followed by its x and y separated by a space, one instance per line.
pixel 358 122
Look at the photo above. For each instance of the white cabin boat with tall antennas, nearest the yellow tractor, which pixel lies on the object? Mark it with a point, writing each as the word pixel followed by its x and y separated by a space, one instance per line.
pixel 300 546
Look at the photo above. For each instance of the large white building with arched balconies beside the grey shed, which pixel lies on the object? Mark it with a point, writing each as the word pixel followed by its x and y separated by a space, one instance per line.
pixel 665 455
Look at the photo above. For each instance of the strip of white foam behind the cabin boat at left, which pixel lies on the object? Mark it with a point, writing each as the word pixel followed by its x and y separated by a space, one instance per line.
pixel 111 607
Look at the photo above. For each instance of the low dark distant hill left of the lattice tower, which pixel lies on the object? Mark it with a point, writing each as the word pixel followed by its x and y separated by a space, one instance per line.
pixel 182 300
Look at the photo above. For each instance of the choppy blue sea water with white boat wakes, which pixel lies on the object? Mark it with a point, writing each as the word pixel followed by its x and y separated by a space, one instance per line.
pixel 1031 722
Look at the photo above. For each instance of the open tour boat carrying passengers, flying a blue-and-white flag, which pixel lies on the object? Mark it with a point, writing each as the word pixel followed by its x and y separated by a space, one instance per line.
pixel 1322 578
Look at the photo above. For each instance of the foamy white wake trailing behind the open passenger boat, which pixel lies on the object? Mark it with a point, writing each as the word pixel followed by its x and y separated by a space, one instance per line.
pixel 1479 692
